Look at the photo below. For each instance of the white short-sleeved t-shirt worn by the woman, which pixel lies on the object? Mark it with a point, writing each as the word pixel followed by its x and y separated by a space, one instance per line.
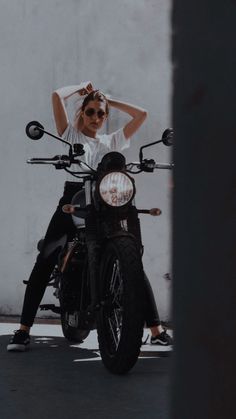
pixel 95 148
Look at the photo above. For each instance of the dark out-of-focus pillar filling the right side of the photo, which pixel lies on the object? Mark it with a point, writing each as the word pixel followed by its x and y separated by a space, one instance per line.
pixel 204 211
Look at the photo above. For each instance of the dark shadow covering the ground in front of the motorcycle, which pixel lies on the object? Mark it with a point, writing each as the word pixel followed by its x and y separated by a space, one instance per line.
pixel 56 379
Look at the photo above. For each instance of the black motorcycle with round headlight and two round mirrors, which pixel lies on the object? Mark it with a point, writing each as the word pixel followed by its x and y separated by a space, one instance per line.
pixel 99 276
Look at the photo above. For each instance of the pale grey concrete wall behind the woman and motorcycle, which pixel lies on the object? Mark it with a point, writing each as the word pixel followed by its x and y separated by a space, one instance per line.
pixel 123 47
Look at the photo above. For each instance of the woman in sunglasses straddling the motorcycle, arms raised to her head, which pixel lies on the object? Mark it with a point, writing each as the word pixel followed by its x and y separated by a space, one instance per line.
pixel 89 118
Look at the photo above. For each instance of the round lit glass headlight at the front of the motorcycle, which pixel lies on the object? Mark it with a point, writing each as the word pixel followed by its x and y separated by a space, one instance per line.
pixel 116 189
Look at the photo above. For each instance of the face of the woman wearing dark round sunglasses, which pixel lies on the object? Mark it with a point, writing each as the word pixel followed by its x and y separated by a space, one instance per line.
pixel 93 117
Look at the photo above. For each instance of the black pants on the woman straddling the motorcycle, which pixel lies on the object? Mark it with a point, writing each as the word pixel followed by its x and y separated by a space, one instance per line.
pixel 60 225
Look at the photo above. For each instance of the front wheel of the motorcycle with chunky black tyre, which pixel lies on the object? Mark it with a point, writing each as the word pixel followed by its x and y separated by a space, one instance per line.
pixel 121 318
